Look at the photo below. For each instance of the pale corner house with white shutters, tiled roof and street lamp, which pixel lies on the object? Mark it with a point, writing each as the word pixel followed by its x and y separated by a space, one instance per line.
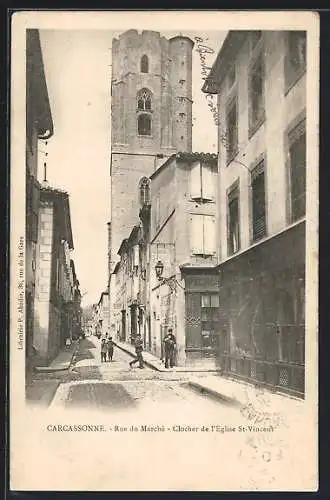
pixel 183 235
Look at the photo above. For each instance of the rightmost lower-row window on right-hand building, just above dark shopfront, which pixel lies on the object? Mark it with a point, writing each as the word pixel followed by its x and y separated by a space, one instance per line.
pixel 297 159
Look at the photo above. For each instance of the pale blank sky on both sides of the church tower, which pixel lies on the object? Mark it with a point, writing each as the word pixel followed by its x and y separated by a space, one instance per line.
pixel 78 74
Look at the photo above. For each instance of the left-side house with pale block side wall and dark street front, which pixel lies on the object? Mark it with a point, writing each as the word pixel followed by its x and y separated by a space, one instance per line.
pixel 53 291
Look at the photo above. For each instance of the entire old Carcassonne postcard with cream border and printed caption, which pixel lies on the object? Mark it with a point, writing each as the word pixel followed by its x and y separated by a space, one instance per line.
pixel 164 251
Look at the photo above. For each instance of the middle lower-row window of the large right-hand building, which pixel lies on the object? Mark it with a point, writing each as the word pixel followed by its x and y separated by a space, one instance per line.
pixel 258 202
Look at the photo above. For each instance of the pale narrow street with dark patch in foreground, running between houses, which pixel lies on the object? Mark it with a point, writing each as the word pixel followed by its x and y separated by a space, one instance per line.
pixel 115 386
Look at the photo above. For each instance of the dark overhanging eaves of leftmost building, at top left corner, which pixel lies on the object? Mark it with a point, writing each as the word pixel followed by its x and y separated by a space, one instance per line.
pixel 36 87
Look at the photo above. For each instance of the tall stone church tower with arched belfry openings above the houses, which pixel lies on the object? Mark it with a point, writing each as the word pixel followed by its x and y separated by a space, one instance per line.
pixel 151 113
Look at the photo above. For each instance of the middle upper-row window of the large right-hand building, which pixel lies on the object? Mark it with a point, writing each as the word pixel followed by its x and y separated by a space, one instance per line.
pixel 256 95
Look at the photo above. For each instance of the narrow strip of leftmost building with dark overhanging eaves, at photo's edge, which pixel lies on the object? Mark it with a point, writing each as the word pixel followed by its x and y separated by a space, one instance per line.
pixel 39 126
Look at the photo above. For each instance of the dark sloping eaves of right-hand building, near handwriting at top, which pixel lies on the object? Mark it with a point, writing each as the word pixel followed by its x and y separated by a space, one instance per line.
pixel 231 45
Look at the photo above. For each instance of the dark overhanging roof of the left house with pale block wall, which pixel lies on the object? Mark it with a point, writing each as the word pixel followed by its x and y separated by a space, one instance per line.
pixel 62 206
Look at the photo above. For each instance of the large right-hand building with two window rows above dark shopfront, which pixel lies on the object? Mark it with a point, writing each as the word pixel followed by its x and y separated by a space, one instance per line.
pixel 262 205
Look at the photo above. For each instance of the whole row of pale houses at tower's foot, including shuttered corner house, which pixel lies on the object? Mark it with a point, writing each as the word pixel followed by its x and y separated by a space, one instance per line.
pixel 177 230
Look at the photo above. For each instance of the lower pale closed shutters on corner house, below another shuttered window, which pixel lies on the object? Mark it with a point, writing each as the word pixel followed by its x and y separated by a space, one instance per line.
pixel 203 234
